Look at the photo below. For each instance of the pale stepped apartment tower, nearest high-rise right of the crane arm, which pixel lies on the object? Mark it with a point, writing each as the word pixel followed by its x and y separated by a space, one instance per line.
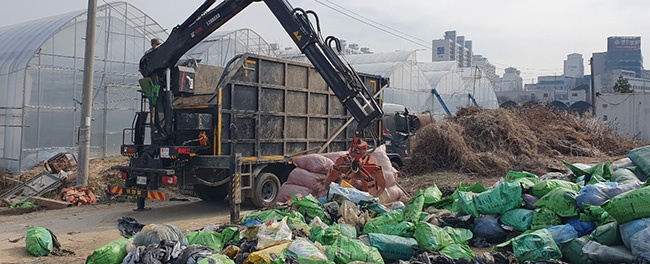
pixel 453 48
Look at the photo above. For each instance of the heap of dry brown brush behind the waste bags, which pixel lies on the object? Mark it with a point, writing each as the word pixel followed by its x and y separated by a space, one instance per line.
pixel 489 142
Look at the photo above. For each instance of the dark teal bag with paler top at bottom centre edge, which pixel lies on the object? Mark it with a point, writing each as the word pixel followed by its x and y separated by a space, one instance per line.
pixel 393 247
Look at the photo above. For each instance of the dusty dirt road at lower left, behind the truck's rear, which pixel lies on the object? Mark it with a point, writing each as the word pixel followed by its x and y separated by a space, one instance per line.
pixel 84 229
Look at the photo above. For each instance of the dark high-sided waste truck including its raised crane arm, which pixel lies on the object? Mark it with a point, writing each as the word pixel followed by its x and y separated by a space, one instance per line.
pixel 239 140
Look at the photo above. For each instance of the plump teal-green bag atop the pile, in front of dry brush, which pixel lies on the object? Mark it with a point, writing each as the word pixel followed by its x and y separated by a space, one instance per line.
pixel 504 197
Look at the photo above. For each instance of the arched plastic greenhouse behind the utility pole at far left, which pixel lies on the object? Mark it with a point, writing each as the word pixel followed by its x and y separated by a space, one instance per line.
pixel 41 75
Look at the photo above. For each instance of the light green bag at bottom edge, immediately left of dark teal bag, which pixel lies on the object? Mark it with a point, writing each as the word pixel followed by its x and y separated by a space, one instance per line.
pixel 345 250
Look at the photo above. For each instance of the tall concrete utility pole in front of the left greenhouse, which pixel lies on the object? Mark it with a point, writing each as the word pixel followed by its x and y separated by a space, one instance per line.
pixel 87 104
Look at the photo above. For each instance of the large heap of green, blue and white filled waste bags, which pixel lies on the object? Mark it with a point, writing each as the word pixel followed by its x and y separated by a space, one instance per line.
pixel 590 214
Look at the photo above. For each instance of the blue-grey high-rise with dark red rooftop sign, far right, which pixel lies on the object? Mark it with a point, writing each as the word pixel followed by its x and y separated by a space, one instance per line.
pixel 624 53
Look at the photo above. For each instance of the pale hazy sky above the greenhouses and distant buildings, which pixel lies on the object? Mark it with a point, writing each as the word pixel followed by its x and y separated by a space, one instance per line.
pixel 531 35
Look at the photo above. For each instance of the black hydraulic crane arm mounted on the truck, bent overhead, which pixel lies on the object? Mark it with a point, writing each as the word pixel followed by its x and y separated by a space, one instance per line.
pixel 340 77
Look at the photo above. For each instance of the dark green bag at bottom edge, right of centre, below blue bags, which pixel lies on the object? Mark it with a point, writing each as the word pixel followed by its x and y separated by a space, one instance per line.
pixel 538 245
